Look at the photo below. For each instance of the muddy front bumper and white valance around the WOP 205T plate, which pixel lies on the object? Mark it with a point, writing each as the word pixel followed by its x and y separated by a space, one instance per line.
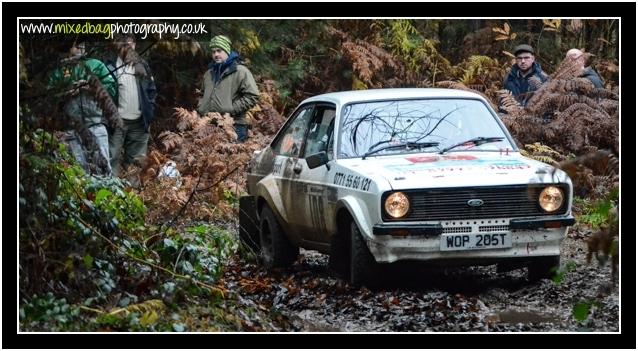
pixel 531 237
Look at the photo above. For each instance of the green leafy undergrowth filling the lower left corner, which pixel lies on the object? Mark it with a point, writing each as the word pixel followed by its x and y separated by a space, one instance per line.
pixel 86 236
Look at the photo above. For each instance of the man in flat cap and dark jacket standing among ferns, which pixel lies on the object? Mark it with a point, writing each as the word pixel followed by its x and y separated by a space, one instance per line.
pixel 526 75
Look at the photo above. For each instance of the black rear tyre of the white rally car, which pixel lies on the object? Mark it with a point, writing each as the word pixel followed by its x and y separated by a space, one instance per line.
pixel 276 249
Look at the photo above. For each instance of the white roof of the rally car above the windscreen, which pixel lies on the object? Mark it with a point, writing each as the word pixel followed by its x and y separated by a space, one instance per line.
pixel 344 97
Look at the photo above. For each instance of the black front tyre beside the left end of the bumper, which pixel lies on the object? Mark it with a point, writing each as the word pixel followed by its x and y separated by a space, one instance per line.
pixel 363 266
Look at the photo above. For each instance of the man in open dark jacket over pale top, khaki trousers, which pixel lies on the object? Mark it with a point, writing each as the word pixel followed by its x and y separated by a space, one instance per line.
pixel 136 104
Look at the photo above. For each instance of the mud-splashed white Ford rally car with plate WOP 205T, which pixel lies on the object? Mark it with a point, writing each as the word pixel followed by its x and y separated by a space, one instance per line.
pixel 379 176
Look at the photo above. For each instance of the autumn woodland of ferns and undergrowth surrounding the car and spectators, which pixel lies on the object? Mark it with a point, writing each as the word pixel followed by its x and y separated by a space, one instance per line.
pixel 123 254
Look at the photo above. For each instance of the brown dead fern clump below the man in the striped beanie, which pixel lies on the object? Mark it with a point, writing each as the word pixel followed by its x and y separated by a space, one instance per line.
pixel 206 158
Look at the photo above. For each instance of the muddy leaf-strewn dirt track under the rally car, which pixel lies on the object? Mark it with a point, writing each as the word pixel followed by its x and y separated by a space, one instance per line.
pixel 310 297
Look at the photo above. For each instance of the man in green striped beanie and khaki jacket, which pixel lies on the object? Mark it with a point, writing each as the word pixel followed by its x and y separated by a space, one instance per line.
pixel 228 86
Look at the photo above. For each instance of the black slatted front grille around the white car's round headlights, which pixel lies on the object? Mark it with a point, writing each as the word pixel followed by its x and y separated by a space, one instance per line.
pixel 498 202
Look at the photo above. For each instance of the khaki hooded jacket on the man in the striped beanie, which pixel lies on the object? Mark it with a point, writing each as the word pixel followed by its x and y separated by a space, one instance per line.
pixel 229 87
